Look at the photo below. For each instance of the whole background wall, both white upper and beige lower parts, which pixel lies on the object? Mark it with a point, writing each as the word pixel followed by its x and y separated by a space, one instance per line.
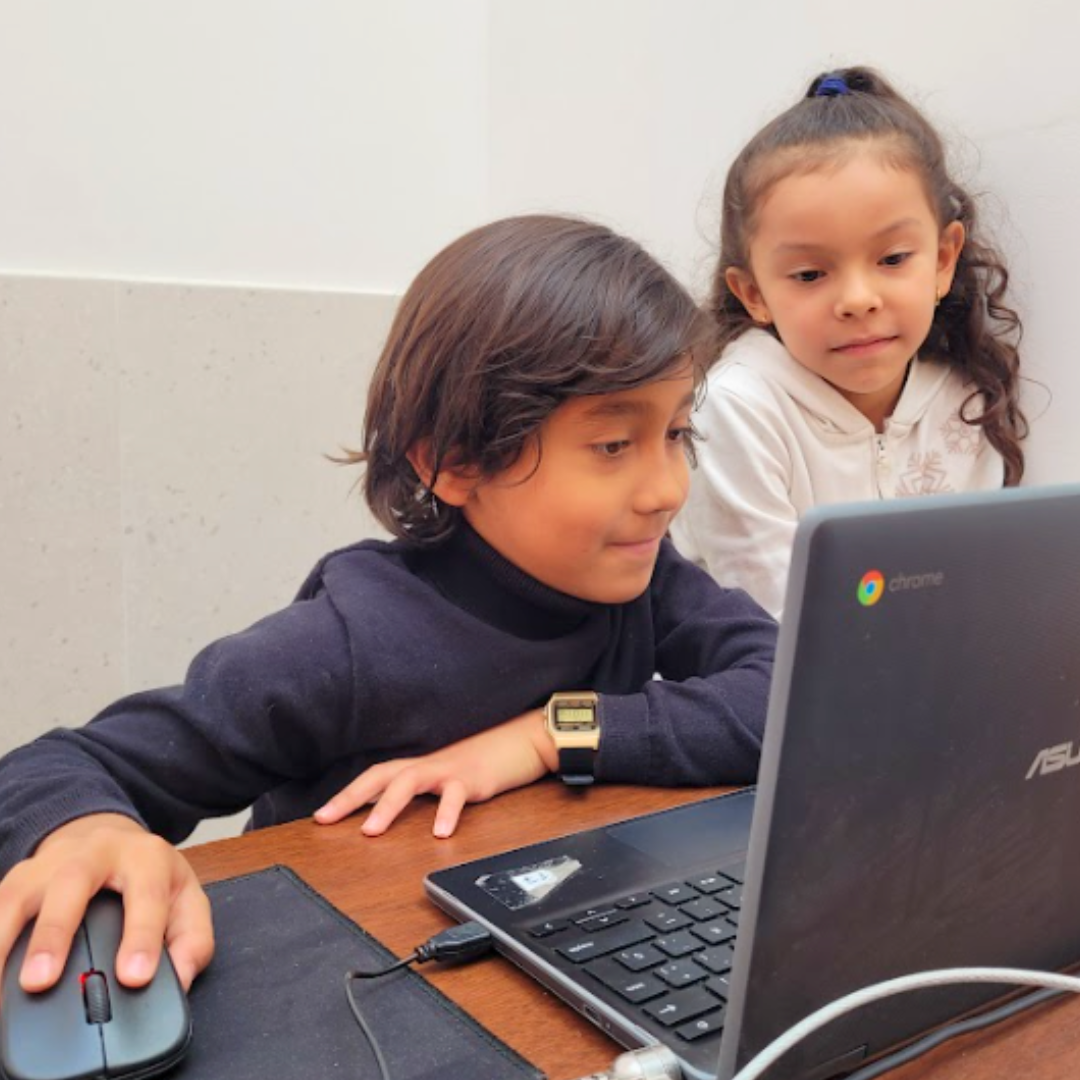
pixel 283 169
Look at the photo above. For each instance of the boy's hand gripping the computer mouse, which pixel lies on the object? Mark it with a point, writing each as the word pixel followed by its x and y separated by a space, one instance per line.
pixel 164 901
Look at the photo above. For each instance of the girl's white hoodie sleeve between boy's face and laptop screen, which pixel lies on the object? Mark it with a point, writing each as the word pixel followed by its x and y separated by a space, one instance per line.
pixel 739 522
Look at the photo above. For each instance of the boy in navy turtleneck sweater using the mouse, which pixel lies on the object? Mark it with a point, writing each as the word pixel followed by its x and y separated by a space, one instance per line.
pixel 526 439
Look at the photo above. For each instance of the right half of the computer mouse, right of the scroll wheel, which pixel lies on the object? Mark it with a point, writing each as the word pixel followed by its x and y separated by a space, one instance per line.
pixel 152 1027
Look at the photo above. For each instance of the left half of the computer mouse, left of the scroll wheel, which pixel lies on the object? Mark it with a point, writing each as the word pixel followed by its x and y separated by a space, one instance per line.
pixel 46 1036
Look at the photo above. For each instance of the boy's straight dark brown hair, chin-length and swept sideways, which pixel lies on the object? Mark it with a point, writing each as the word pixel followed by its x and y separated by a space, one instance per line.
pixel 498 331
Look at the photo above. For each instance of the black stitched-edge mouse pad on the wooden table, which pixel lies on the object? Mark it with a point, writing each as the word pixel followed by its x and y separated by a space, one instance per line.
pixel 273 1004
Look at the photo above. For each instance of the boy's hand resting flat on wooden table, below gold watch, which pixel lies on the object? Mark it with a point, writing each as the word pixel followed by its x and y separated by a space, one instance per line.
pixel 478 768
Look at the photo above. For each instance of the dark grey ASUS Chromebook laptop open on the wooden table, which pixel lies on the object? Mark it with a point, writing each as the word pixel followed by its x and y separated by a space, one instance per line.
pixel 919 807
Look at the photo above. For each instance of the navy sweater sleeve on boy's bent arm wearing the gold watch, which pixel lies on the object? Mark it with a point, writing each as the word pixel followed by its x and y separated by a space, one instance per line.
pixel 703 721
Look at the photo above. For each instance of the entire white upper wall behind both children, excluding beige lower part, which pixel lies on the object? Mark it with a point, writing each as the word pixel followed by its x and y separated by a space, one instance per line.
pixel 337 144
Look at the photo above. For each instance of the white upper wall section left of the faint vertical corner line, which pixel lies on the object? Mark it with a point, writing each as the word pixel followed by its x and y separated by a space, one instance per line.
pixel 313 143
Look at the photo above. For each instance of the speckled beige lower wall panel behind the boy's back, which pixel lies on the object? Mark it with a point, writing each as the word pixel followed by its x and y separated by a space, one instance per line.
pixel 163 479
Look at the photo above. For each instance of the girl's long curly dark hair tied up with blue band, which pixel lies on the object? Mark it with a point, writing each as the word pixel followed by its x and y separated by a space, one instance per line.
pixel 974 329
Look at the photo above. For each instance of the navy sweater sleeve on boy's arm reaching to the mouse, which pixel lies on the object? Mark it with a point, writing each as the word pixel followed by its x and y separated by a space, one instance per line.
pixel 266 706
